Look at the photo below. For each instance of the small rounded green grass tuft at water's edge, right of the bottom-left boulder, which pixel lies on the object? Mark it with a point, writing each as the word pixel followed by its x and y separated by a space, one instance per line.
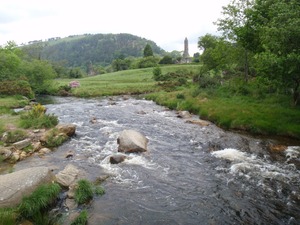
pixel 84 192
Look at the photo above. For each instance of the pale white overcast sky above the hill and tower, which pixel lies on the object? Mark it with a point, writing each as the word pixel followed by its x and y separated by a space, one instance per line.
pixel 166 22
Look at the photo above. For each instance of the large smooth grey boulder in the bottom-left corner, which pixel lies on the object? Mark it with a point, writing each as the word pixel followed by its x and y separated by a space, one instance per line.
pixel 14 186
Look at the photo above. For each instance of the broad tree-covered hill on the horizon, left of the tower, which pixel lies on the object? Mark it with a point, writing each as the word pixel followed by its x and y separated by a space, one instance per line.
pixel 98 49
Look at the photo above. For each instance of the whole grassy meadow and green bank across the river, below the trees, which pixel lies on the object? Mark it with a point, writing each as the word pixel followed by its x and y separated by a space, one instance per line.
pixel 235 107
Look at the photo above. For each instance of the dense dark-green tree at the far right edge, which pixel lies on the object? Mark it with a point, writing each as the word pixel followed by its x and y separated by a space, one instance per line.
pixel 278 23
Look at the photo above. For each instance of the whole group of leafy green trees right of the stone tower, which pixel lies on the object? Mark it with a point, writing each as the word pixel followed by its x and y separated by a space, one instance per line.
pixel 260 42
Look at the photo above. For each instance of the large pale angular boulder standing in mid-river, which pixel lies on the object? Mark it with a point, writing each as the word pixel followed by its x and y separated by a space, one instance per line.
pixel 132 141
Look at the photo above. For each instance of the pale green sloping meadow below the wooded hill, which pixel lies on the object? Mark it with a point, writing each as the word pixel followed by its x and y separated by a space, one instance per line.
pixel 137 81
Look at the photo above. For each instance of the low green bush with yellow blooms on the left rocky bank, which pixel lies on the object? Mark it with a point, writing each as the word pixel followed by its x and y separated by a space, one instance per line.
pixel 36 118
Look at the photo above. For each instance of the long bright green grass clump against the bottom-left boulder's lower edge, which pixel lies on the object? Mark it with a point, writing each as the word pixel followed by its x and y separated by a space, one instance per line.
pixel 39 200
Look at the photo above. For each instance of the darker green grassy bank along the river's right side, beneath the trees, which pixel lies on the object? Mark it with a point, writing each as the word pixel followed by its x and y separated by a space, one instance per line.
pixel 269 116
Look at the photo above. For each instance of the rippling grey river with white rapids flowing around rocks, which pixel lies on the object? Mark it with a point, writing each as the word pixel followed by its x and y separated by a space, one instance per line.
pixel 191 174
